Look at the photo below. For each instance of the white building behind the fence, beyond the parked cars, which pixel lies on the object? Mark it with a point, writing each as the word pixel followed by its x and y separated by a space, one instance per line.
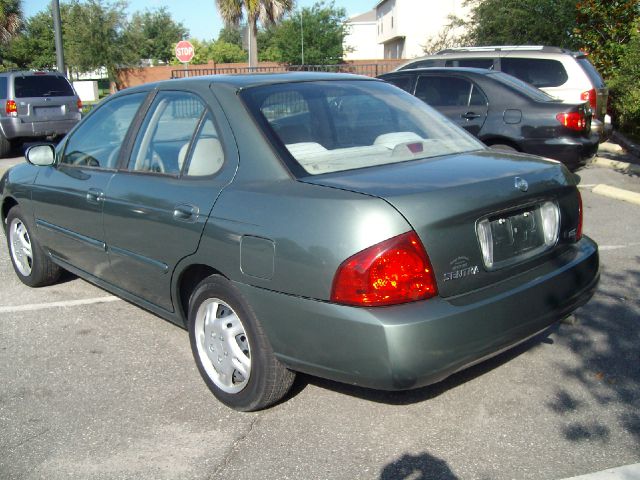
pixel 402 27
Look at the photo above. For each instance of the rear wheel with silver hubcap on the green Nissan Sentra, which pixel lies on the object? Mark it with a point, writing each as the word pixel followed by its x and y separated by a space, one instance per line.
pixel 231 349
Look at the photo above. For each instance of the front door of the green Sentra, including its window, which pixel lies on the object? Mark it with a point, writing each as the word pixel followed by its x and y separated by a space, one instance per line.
pixel 68 197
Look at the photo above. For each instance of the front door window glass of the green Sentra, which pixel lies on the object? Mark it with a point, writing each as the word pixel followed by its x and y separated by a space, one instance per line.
pixel 97 141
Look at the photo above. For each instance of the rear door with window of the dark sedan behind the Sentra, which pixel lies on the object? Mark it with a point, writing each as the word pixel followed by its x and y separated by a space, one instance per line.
pixel 459 99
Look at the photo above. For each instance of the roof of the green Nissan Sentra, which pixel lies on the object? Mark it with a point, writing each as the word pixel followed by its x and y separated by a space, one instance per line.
pixel 257 79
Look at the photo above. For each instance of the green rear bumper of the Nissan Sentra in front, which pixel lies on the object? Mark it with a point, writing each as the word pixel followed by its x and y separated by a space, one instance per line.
pixel 416 344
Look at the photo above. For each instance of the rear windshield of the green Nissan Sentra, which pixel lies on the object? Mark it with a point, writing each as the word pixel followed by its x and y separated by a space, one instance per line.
pixel 334 126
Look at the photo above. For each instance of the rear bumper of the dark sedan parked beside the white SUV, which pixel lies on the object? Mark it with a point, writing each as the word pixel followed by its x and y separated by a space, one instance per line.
pixel 572 151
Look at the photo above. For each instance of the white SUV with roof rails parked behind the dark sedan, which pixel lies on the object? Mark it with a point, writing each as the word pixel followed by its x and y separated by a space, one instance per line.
pixel 562 73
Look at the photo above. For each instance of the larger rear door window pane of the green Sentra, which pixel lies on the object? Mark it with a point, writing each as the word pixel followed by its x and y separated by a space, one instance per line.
pixel 166 133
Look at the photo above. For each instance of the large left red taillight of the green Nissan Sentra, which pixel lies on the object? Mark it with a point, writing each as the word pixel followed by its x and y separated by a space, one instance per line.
pixel 391 272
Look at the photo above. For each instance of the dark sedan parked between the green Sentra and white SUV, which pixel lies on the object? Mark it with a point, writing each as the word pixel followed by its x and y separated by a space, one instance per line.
pixel 504 112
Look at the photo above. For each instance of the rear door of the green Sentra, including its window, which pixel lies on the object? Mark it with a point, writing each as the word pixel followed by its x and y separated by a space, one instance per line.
pixel 155 209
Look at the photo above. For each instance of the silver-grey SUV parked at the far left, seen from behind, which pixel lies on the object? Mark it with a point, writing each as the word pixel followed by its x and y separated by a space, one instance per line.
pixel 35 105
